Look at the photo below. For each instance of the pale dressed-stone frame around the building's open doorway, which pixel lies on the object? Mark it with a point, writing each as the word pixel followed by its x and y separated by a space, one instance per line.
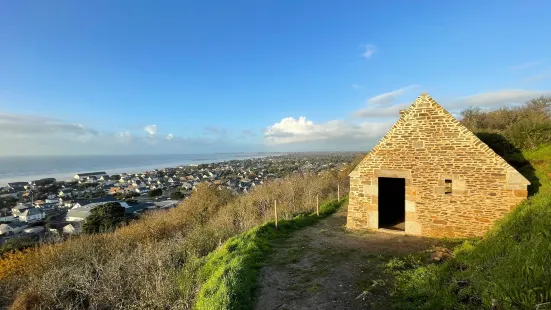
pixel 412 225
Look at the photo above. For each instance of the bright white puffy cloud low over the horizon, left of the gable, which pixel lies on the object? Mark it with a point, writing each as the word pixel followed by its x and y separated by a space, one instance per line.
pixel 291 130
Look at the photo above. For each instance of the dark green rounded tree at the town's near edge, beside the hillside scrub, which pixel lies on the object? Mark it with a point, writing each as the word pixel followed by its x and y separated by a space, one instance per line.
pixel 104 218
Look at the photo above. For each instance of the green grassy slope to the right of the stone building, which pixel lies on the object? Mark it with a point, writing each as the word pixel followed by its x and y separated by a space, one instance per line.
pixel 510 268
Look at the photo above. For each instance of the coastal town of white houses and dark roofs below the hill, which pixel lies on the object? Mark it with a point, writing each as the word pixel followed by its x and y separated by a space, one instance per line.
pixel 39 209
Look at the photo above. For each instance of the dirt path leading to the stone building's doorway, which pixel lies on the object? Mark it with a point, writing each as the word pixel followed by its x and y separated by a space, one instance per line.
pixel 326 267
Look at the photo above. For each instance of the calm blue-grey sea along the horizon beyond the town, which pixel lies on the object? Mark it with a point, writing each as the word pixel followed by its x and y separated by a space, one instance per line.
pixel 29 168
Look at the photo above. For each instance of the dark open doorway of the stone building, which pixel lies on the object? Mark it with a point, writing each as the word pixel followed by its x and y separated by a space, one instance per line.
pixel 392 203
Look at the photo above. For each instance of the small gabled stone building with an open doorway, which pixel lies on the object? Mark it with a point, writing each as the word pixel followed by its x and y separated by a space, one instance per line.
pixel 431 176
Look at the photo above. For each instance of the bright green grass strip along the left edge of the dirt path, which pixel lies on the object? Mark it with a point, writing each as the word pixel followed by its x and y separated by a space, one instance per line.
pixel 227 276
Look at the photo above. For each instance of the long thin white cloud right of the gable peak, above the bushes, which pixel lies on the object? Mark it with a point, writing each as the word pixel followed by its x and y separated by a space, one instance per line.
pixel 499 98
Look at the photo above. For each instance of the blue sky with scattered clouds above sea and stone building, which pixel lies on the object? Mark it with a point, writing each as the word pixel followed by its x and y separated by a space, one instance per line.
pixel 103 76
